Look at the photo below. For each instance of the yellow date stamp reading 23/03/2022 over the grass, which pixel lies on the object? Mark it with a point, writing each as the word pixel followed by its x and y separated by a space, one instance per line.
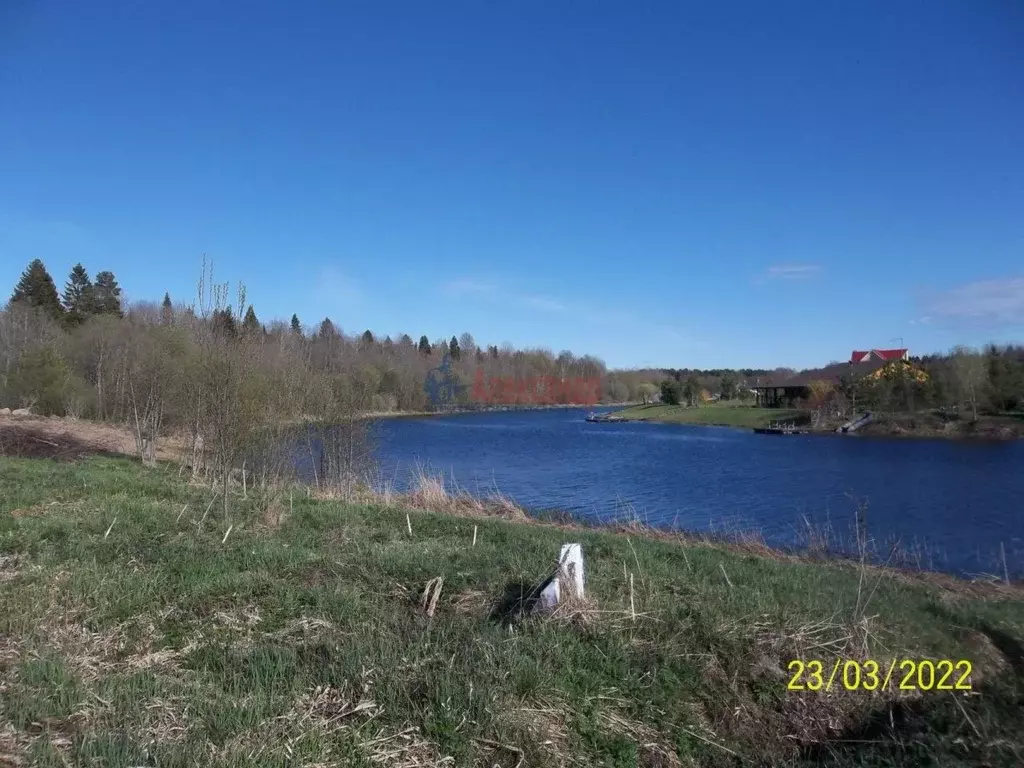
pixel 898 675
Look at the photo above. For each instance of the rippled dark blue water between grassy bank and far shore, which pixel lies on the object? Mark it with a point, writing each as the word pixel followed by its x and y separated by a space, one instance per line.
pixel 951 504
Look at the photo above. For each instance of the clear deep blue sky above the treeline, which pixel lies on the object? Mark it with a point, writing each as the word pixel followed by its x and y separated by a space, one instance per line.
pixel 679 184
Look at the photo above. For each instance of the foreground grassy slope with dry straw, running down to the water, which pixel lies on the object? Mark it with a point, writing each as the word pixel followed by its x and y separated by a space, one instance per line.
pixel 306 645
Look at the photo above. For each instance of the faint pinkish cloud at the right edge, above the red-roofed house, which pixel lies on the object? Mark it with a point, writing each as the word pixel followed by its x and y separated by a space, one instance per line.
pixel 989 304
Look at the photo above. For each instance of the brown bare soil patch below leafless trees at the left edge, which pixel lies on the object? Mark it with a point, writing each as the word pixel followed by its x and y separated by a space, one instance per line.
pixel 69 440
